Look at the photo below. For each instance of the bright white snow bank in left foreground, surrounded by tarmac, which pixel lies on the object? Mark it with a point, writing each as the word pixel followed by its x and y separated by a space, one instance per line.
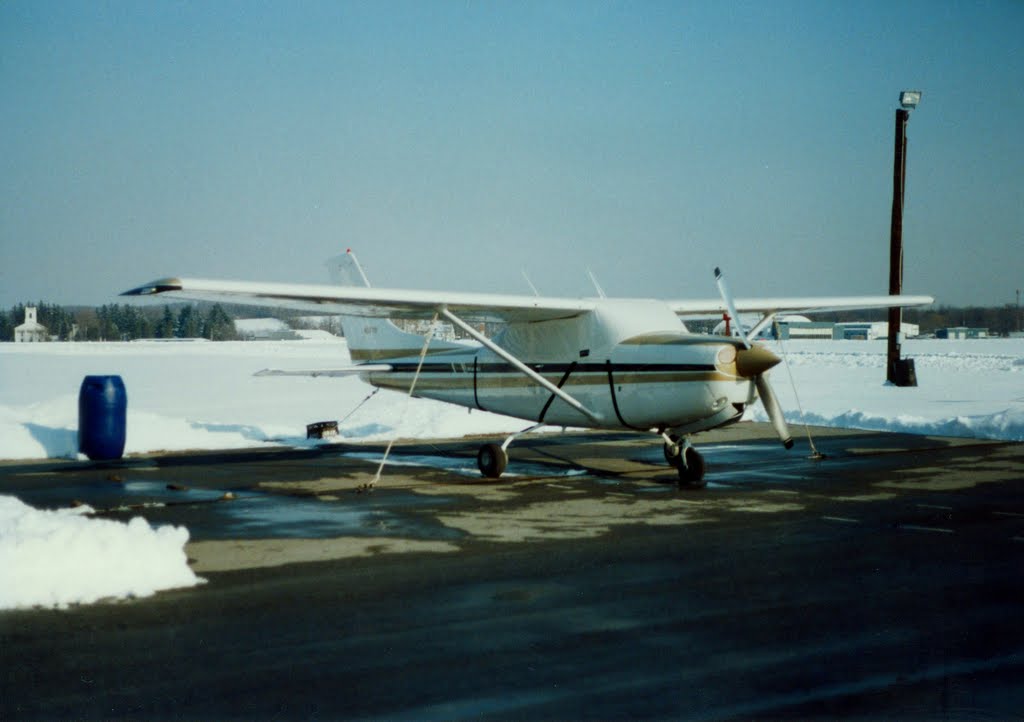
pixel 57 559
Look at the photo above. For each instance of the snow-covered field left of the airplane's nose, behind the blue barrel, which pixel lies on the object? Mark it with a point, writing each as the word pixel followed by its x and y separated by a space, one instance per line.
pixel 196 395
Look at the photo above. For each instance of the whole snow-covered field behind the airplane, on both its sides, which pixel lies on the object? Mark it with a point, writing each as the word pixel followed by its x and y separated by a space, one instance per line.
pixel 185 396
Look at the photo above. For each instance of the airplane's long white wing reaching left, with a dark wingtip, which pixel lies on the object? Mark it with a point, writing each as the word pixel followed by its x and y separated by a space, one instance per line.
pixel 378 303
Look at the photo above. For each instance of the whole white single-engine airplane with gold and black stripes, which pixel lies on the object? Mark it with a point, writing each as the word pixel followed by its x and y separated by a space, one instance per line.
pixel 596 363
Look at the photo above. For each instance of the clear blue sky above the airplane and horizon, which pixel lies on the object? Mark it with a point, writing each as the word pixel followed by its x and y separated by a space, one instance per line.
pixel 454 145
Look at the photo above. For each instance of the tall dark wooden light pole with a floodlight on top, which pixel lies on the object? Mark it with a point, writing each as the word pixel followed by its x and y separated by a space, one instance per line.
pixel 900 372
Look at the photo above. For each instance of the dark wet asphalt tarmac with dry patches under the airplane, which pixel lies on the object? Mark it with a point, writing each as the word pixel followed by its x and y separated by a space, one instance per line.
pixel 884 581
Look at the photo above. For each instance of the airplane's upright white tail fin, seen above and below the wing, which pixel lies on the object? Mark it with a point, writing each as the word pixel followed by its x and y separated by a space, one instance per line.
pixel 370 338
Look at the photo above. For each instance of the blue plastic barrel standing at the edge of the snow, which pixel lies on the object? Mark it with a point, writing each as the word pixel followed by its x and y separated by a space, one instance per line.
pixel 103 411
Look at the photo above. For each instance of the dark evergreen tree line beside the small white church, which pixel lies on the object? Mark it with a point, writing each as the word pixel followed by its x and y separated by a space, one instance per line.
pixel 124 323
